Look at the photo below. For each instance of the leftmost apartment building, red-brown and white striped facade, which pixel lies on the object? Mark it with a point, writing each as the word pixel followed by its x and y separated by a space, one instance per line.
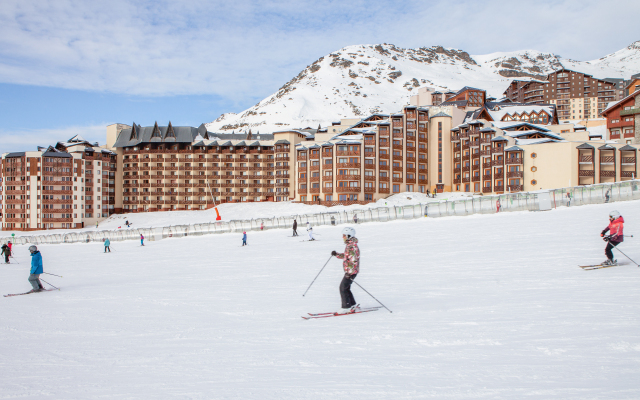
pixel 67 186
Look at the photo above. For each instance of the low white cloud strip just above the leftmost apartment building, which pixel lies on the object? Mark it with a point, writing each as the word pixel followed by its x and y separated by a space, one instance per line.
pixel 30 139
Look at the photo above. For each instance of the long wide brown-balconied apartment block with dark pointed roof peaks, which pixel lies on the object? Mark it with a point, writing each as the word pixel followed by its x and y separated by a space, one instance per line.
pixel 163 168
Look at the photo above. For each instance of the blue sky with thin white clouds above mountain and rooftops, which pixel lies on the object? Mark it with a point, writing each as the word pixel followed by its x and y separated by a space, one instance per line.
pixel 72 67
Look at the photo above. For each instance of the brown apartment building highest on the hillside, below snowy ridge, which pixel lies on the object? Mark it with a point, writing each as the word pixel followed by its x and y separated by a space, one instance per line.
pixel 576 95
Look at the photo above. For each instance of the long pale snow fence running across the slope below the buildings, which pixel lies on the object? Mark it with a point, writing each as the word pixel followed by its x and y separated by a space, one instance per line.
pixel 527 201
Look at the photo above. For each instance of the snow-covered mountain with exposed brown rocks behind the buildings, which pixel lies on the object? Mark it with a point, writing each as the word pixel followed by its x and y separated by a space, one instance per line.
pixel 363 79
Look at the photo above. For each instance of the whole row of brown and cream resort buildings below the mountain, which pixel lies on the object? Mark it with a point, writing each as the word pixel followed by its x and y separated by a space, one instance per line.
pixel 459 141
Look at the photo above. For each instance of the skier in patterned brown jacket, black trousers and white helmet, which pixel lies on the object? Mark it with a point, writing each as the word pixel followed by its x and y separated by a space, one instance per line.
pixel 351 266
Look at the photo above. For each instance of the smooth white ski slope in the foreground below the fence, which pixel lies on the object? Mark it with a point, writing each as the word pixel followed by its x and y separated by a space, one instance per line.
pixel 484 307
